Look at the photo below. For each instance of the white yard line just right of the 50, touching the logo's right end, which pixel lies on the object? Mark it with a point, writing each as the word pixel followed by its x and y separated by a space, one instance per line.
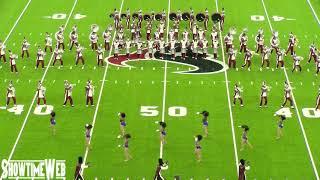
pixel 229 101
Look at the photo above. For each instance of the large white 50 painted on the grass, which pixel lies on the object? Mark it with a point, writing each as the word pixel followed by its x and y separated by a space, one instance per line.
pixel 152 111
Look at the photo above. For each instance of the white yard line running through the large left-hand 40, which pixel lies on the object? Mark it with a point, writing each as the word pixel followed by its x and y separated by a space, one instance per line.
pixel 34 98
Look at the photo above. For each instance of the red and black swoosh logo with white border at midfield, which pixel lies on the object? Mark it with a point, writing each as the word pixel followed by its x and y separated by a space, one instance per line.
pixel 202 65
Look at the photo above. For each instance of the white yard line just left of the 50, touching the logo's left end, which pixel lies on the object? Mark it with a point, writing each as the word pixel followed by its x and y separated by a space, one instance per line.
pixel 100 95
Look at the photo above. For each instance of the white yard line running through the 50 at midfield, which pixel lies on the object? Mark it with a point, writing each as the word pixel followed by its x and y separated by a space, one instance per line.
pixel 164 95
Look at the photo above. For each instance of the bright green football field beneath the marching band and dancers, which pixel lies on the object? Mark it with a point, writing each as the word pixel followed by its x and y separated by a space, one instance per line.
pixel 151 91
